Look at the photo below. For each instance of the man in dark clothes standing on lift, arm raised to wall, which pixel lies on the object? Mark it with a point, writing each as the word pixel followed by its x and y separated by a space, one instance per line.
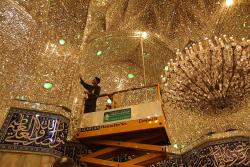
pixel 93 92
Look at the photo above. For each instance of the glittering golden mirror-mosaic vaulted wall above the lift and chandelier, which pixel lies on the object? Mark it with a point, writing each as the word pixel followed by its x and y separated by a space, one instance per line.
pixel 53 41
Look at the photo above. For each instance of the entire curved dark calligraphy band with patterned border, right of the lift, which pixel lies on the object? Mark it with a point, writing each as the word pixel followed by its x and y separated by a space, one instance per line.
pixel 228 152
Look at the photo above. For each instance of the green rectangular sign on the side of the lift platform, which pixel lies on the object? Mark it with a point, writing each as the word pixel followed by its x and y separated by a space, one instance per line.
pixel 117 115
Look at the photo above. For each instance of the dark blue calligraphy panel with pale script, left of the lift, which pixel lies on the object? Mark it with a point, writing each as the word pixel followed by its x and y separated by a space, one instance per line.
pixel 31 128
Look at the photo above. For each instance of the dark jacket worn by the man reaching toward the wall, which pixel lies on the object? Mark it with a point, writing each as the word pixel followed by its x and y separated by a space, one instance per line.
pixel 94 93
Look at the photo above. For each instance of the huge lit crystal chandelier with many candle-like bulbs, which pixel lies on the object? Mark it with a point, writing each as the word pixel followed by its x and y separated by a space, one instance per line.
pixel 214 75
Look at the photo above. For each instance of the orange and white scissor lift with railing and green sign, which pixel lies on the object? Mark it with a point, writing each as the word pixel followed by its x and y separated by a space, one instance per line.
pixel 128 136
